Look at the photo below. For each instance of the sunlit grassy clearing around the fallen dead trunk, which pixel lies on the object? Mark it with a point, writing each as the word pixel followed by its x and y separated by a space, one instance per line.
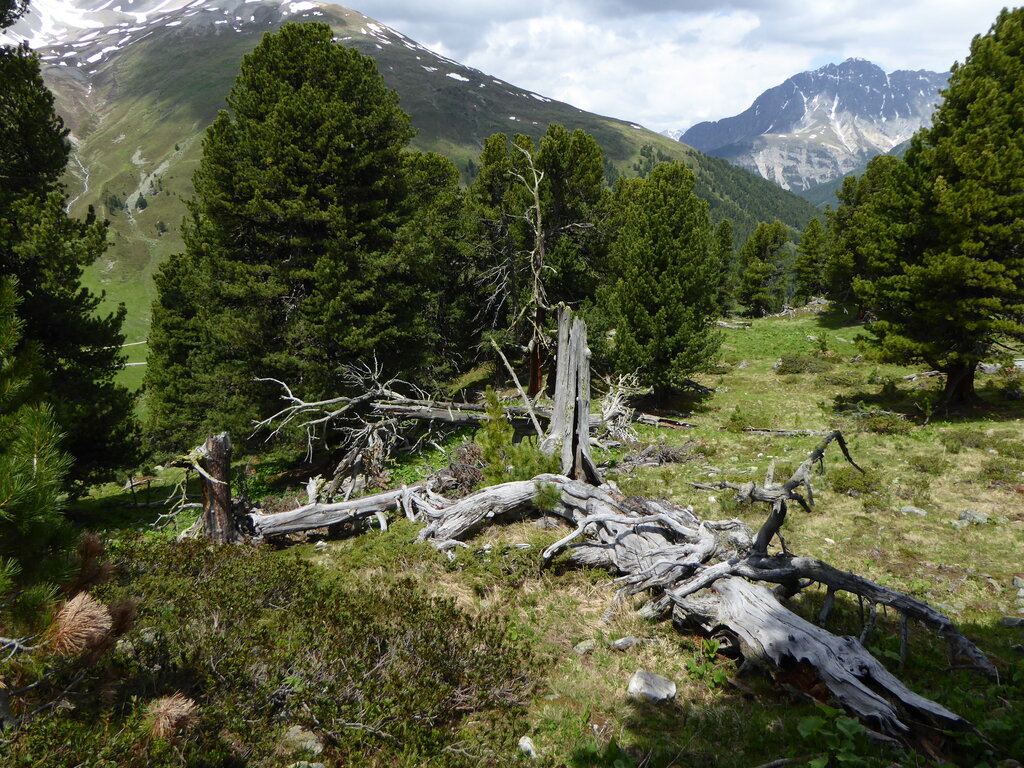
pixel 579 715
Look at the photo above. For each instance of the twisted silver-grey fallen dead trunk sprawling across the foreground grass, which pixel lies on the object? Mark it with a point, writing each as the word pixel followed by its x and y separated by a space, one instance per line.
pixel 705 574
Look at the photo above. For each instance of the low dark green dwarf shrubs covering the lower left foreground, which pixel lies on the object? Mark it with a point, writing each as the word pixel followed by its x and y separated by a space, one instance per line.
pixel 262 642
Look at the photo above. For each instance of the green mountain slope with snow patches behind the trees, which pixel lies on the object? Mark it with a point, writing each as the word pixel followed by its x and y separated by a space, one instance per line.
pixel 138 112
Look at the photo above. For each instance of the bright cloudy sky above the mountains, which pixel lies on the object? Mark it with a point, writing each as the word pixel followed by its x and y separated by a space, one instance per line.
pixel 670 65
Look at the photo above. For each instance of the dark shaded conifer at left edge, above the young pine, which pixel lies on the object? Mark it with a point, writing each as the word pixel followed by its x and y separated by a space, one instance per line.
pixel 47 251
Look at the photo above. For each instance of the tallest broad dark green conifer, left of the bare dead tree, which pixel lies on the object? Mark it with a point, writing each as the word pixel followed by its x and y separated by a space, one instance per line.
pixel 290 270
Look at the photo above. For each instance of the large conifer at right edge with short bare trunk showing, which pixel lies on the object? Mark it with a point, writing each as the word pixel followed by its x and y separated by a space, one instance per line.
pixel 946 267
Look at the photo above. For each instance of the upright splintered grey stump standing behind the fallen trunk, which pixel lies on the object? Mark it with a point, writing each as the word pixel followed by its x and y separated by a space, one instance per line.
pixel 570 428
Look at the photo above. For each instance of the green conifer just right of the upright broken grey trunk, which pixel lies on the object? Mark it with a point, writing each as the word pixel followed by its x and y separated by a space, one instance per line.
pixel 661 307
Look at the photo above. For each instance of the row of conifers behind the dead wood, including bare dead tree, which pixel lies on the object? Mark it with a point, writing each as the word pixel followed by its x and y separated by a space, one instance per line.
pixel 317 240
